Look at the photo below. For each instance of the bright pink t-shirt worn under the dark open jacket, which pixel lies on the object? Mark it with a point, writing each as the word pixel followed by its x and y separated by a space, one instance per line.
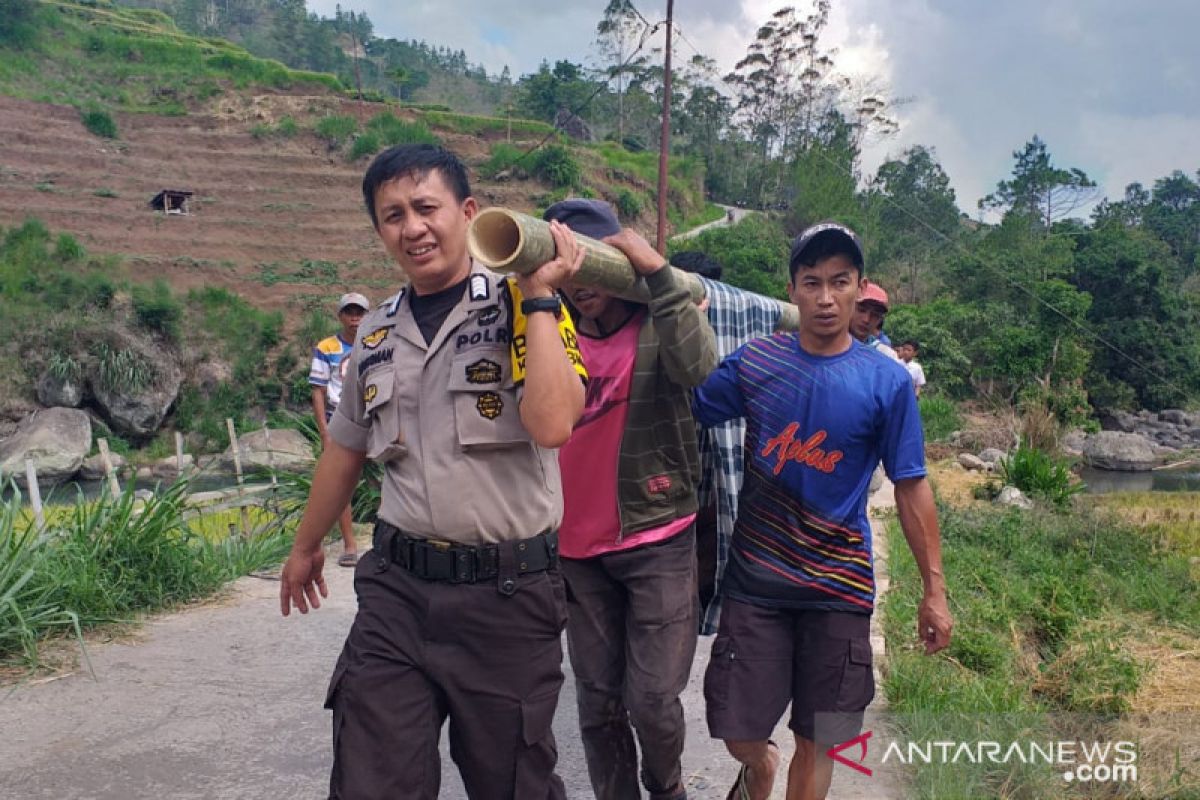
pixel 589 461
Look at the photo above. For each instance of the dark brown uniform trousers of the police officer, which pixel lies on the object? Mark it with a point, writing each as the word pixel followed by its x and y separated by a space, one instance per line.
pixel 422 652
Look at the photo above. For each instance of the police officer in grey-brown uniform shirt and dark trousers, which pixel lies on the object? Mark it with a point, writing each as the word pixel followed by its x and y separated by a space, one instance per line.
pixel 463 384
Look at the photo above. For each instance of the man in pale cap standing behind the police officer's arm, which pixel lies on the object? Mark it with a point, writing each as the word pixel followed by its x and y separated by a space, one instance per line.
pixel 329 362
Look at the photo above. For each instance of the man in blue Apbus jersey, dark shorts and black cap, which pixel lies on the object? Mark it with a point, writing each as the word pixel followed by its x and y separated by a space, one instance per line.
pixel 821 412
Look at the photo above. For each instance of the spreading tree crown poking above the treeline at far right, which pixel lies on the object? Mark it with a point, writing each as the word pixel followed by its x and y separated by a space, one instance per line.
pixel 1039 189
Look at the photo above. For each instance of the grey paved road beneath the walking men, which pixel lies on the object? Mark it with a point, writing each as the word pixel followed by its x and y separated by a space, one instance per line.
pixel 225 701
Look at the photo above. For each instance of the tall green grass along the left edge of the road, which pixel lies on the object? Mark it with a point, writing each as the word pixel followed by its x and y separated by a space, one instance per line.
pixel 109 560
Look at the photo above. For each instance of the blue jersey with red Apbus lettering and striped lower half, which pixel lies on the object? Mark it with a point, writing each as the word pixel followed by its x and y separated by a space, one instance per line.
pixel 817 428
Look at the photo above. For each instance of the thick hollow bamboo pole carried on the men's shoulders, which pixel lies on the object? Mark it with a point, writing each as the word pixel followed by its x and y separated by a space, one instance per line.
pixel 509 242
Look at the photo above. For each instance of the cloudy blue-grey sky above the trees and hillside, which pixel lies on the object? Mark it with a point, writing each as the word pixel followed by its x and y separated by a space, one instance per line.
pixel 1112 87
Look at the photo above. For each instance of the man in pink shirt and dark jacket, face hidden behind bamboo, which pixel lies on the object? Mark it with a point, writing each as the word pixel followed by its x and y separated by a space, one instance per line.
pixel 628 540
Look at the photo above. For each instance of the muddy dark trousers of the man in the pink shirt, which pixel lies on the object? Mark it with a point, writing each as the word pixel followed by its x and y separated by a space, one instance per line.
pixel 632 631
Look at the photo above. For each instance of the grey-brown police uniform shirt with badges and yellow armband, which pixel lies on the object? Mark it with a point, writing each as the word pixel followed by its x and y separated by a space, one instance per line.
pixel 443 419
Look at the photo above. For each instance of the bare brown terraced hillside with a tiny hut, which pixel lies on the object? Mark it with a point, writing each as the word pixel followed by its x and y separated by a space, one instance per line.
pixel 273 219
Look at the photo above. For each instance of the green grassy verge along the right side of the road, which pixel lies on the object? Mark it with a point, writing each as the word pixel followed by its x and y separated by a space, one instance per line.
pixel 1045 606
